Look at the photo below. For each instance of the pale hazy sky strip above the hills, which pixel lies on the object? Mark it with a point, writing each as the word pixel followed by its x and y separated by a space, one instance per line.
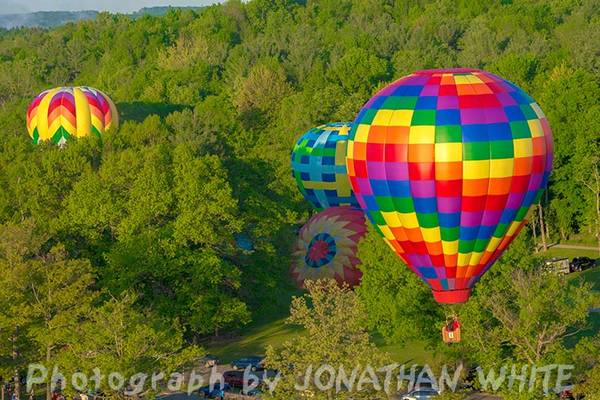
pixel 20 6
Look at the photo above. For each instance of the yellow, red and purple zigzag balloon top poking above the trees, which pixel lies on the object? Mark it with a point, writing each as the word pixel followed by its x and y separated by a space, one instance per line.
pixel 60 113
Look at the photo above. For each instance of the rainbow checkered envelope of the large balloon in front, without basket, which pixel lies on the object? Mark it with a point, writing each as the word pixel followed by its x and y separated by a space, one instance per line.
pixel 446 164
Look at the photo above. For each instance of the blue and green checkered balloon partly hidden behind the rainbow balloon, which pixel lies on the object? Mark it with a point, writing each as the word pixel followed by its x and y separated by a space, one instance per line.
pixel 319 166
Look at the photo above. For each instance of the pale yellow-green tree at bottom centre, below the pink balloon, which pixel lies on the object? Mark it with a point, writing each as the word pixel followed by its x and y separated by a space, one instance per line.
pixel 334 334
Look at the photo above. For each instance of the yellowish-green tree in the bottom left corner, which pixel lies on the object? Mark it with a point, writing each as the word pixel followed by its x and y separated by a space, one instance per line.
pixel 46 296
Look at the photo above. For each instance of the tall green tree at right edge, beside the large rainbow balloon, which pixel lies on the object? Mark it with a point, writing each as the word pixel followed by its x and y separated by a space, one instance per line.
pixel 567 96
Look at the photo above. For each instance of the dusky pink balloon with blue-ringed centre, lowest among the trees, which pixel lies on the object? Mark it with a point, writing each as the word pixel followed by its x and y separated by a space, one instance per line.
pixel 326 247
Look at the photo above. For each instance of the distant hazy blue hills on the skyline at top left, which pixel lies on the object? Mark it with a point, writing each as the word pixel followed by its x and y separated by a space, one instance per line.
pixel 49 19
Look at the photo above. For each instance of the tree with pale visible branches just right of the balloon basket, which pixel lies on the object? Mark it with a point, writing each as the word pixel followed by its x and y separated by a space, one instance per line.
pixel 532 311
